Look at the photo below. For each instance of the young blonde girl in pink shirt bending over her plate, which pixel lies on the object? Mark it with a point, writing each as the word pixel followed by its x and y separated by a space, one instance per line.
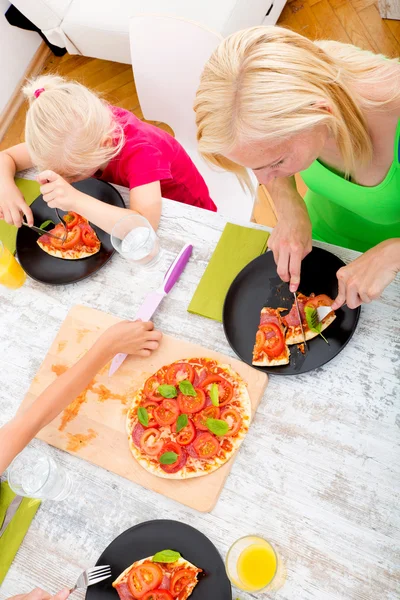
pixel 72 134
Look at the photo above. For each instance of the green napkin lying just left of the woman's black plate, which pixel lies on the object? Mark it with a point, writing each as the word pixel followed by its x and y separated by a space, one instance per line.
pixel 236 248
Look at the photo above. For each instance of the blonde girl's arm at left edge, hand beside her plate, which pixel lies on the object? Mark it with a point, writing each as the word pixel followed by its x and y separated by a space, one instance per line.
pixel 12 203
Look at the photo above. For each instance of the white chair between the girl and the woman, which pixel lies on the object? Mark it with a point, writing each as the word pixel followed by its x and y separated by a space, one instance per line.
pixel 168 55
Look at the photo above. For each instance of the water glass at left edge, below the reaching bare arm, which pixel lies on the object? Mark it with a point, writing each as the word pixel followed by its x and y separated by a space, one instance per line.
pixel 35 474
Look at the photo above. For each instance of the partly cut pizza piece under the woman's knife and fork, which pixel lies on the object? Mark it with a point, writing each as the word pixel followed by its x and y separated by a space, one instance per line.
pixel 291 320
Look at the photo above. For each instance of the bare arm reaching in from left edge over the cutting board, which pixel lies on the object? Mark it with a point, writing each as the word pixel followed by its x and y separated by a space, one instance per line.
pixel 135 338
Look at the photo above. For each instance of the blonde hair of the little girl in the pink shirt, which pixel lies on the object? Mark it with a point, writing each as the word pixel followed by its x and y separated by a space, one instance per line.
pixel 68 128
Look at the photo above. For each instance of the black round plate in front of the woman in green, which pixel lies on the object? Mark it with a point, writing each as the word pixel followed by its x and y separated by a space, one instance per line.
pixel 259 285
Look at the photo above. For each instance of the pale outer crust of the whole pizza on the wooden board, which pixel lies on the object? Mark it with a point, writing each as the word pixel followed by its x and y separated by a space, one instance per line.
pixel 193 467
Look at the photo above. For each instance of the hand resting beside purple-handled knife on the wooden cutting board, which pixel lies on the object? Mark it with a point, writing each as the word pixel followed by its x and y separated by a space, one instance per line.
pixel 132 337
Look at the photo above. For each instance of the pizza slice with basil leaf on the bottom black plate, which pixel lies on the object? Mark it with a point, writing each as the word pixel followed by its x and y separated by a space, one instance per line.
pixel 150 579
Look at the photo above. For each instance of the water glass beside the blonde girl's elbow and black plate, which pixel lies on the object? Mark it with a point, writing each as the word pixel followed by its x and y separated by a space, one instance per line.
pixel 135 239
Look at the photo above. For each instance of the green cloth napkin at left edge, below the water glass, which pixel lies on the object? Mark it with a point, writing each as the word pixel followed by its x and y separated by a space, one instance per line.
pixel 15 531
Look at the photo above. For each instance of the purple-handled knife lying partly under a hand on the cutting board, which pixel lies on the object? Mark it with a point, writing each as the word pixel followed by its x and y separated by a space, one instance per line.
pixel 152 300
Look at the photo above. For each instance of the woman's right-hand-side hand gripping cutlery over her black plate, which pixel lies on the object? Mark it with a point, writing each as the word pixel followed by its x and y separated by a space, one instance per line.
pixel 364 279
